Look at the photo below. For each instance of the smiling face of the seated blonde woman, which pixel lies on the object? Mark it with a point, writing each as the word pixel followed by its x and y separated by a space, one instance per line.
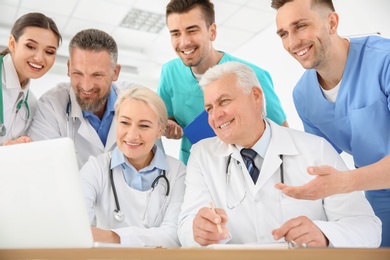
pixel 136 132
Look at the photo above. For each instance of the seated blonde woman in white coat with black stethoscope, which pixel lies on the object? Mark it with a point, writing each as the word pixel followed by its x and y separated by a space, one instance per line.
pixel 135 192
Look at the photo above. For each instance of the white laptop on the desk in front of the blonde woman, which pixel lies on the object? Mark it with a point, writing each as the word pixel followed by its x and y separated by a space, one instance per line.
pixel 41 200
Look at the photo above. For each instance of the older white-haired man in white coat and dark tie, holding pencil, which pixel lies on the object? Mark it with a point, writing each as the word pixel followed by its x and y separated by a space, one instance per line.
pixel 249 209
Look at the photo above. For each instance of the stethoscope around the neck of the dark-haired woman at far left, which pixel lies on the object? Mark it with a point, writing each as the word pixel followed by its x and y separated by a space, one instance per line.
pixel 3 129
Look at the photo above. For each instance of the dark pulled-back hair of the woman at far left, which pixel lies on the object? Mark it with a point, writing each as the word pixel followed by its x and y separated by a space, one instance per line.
pixel 33 20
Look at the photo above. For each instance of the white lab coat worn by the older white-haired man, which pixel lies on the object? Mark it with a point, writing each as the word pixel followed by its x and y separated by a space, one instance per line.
pixel 347 220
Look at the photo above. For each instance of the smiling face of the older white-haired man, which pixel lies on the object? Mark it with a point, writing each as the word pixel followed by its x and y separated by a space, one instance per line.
pixel 233 115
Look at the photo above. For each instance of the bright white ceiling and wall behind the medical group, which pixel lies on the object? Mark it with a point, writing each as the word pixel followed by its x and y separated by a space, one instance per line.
pixel 246 29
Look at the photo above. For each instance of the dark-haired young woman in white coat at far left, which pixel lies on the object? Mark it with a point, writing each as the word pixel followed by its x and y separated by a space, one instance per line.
pixel 31 52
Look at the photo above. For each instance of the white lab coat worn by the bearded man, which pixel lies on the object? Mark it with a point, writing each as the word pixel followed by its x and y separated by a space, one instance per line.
pixel 51 121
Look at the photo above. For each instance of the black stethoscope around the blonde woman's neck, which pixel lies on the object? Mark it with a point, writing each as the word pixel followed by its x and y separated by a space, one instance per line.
pixel 118 214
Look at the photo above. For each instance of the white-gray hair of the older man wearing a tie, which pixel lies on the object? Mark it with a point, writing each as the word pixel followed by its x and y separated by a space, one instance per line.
pixel 245 76
